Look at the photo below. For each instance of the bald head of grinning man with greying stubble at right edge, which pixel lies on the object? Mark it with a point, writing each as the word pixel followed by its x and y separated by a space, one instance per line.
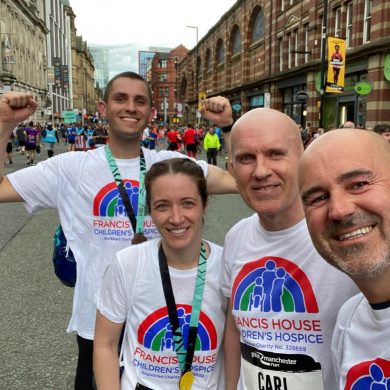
pixel 345 188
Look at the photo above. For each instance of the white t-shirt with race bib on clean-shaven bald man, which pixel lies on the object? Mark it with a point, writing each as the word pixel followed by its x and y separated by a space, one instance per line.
pixel 285 301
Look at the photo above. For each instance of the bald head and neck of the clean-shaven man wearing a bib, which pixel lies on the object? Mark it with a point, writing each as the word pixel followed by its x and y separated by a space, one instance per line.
pixel 266 147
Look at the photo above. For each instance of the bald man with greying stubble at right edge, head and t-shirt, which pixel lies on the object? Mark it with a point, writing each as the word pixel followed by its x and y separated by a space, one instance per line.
pixel 345 186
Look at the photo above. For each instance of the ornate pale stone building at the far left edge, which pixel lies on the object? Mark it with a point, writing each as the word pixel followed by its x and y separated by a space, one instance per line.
pixel 23 64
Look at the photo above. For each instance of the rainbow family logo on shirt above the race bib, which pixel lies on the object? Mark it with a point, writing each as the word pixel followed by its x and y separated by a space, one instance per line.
pixel 273 284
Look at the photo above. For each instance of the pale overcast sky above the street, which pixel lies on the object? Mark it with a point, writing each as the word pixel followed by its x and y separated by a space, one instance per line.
pixel 130 25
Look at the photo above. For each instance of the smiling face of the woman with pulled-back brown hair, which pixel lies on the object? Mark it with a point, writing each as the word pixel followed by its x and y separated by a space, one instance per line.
pixel 177 210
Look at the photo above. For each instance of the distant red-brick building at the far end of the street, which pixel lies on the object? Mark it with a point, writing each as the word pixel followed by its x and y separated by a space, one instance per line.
pixel 163 71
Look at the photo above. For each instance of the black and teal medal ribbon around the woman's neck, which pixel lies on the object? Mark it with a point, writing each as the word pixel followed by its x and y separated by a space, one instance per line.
pixel 184 354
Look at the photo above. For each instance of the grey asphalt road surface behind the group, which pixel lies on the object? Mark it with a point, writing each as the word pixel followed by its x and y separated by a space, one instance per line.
pixel 36 352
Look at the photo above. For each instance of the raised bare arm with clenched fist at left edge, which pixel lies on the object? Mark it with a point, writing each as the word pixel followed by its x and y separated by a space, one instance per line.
pixel 15 107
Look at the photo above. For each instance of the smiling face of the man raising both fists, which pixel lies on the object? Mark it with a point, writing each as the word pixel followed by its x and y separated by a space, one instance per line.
pixel 128 108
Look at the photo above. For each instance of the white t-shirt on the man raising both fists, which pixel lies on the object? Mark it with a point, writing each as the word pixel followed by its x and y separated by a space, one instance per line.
pixel 92 214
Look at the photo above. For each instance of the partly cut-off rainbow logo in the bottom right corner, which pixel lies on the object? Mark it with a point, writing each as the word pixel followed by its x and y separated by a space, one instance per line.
pixel 369 375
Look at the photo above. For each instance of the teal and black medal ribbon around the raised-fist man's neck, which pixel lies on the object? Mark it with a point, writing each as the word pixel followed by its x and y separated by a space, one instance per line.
pixel 137 222
